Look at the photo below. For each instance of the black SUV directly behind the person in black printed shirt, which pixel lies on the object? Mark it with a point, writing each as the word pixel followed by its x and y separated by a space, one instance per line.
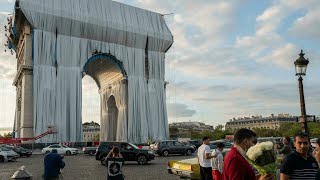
pixel 130 152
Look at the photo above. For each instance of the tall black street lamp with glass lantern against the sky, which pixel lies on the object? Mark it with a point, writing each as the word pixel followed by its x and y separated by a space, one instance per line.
pixel 301 67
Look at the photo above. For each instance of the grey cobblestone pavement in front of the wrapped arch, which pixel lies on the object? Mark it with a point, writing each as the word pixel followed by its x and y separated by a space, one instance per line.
pixel 81 167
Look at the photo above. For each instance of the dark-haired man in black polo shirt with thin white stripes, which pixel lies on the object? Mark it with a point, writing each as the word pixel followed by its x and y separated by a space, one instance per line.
pixel 299 164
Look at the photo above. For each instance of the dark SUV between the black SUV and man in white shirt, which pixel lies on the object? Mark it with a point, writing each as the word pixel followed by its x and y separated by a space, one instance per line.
pixel 166 147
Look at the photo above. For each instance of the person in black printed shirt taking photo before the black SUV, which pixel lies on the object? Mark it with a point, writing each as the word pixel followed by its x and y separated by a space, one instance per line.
pixel 114 162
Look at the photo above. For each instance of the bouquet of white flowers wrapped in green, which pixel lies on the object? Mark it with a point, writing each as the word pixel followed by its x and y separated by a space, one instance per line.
pixel 262 157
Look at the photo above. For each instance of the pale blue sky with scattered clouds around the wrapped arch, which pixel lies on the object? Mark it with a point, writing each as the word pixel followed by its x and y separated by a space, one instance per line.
pixel 229 59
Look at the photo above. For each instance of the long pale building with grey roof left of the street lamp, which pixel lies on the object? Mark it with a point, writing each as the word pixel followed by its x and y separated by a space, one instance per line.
pixel 271 122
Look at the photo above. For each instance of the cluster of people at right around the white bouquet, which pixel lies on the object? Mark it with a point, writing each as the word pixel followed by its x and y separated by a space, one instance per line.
pixel 301 163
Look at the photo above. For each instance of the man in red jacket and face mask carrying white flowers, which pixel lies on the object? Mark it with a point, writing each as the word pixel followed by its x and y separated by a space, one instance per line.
pixel 235 166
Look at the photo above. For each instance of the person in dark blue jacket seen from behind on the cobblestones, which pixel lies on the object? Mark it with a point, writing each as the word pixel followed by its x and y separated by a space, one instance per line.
pixel 52 164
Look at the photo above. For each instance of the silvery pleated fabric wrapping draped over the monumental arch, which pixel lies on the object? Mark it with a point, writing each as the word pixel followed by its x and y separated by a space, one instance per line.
pixel 65 33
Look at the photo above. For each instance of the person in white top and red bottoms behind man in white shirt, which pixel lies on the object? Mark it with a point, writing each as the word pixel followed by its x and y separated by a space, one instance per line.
pixel 217 162
